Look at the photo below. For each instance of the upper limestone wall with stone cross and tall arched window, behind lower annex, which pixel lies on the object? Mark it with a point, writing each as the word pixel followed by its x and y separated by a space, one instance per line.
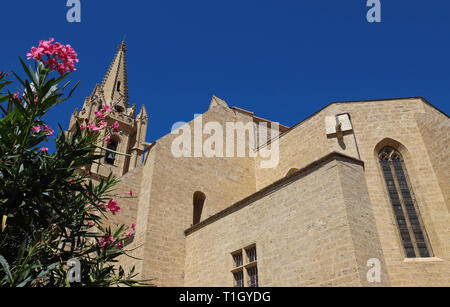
pixel 416 129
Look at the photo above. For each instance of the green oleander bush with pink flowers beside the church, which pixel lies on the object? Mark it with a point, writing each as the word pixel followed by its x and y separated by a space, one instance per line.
pixel 50 210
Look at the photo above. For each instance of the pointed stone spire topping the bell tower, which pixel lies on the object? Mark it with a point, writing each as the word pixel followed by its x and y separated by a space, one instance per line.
pixel 115 83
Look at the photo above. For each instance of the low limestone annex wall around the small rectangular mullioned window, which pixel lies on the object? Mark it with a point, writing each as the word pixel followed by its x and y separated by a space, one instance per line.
pixel 306 230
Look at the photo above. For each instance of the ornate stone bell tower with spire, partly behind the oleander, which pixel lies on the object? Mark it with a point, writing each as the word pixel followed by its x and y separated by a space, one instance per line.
pixel 113 92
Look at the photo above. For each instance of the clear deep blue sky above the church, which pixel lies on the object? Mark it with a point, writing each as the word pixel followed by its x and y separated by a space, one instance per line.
pixel 284 60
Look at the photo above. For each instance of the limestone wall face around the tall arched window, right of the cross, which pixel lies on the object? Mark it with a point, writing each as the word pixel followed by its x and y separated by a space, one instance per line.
pixel 393 123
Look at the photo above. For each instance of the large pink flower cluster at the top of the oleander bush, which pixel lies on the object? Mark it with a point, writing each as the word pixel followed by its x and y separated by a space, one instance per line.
pixel 59 57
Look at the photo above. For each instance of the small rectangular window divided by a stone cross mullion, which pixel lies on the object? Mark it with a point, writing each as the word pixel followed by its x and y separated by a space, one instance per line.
pixel 242 266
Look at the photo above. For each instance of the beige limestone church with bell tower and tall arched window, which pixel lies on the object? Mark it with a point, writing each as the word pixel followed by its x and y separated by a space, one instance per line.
pixel 359 196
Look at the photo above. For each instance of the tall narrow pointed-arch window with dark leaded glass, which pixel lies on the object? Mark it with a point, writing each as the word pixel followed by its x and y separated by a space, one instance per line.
pixel 412 231
